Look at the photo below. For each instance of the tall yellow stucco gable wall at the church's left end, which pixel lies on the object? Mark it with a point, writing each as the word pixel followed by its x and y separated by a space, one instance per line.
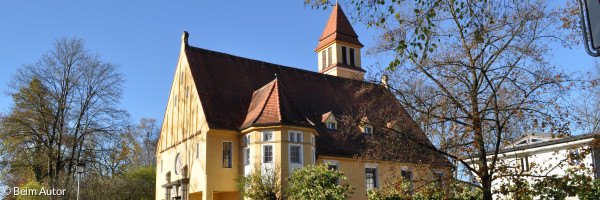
pixel 183 131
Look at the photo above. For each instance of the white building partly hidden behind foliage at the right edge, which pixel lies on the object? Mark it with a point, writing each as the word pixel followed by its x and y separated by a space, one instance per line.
pixel 541 154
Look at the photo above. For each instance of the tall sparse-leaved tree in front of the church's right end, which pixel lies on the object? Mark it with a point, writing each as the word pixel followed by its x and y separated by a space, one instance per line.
pixel 472 73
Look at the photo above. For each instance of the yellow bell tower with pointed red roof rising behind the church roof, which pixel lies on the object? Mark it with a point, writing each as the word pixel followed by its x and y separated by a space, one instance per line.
pixel 339 49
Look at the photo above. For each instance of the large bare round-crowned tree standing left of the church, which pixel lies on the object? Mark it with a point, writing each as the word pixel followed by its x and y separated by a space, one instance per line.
pixel 63 104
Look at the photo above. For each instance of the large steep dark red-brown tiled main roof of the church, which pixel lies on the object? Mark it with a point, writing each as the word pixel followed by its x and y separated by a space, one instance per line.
pixel 238 92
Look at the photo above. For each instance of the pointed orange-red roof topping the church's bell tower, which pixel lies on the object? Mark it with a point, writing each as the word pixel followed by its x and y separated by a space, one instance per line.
pixel 338 28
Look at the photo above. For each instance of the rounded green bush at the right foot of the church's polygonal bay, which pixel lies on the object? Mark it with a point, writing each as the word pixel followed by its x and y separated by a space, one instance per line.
pixel 318 182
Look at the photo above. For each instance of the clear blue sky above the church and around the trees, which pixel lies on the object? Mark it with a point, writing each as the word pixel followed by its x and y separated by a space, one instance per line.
pixel 144 38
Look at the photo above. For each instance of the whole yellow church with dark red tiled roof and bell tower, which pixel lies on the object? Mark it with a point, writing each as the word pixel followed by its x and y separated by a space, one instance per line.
pixel 227 114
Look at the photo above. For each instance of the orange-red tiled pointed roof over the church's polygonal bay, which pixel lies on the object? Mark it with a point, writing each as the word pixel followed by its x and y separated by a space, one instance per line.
pixel 270 105
